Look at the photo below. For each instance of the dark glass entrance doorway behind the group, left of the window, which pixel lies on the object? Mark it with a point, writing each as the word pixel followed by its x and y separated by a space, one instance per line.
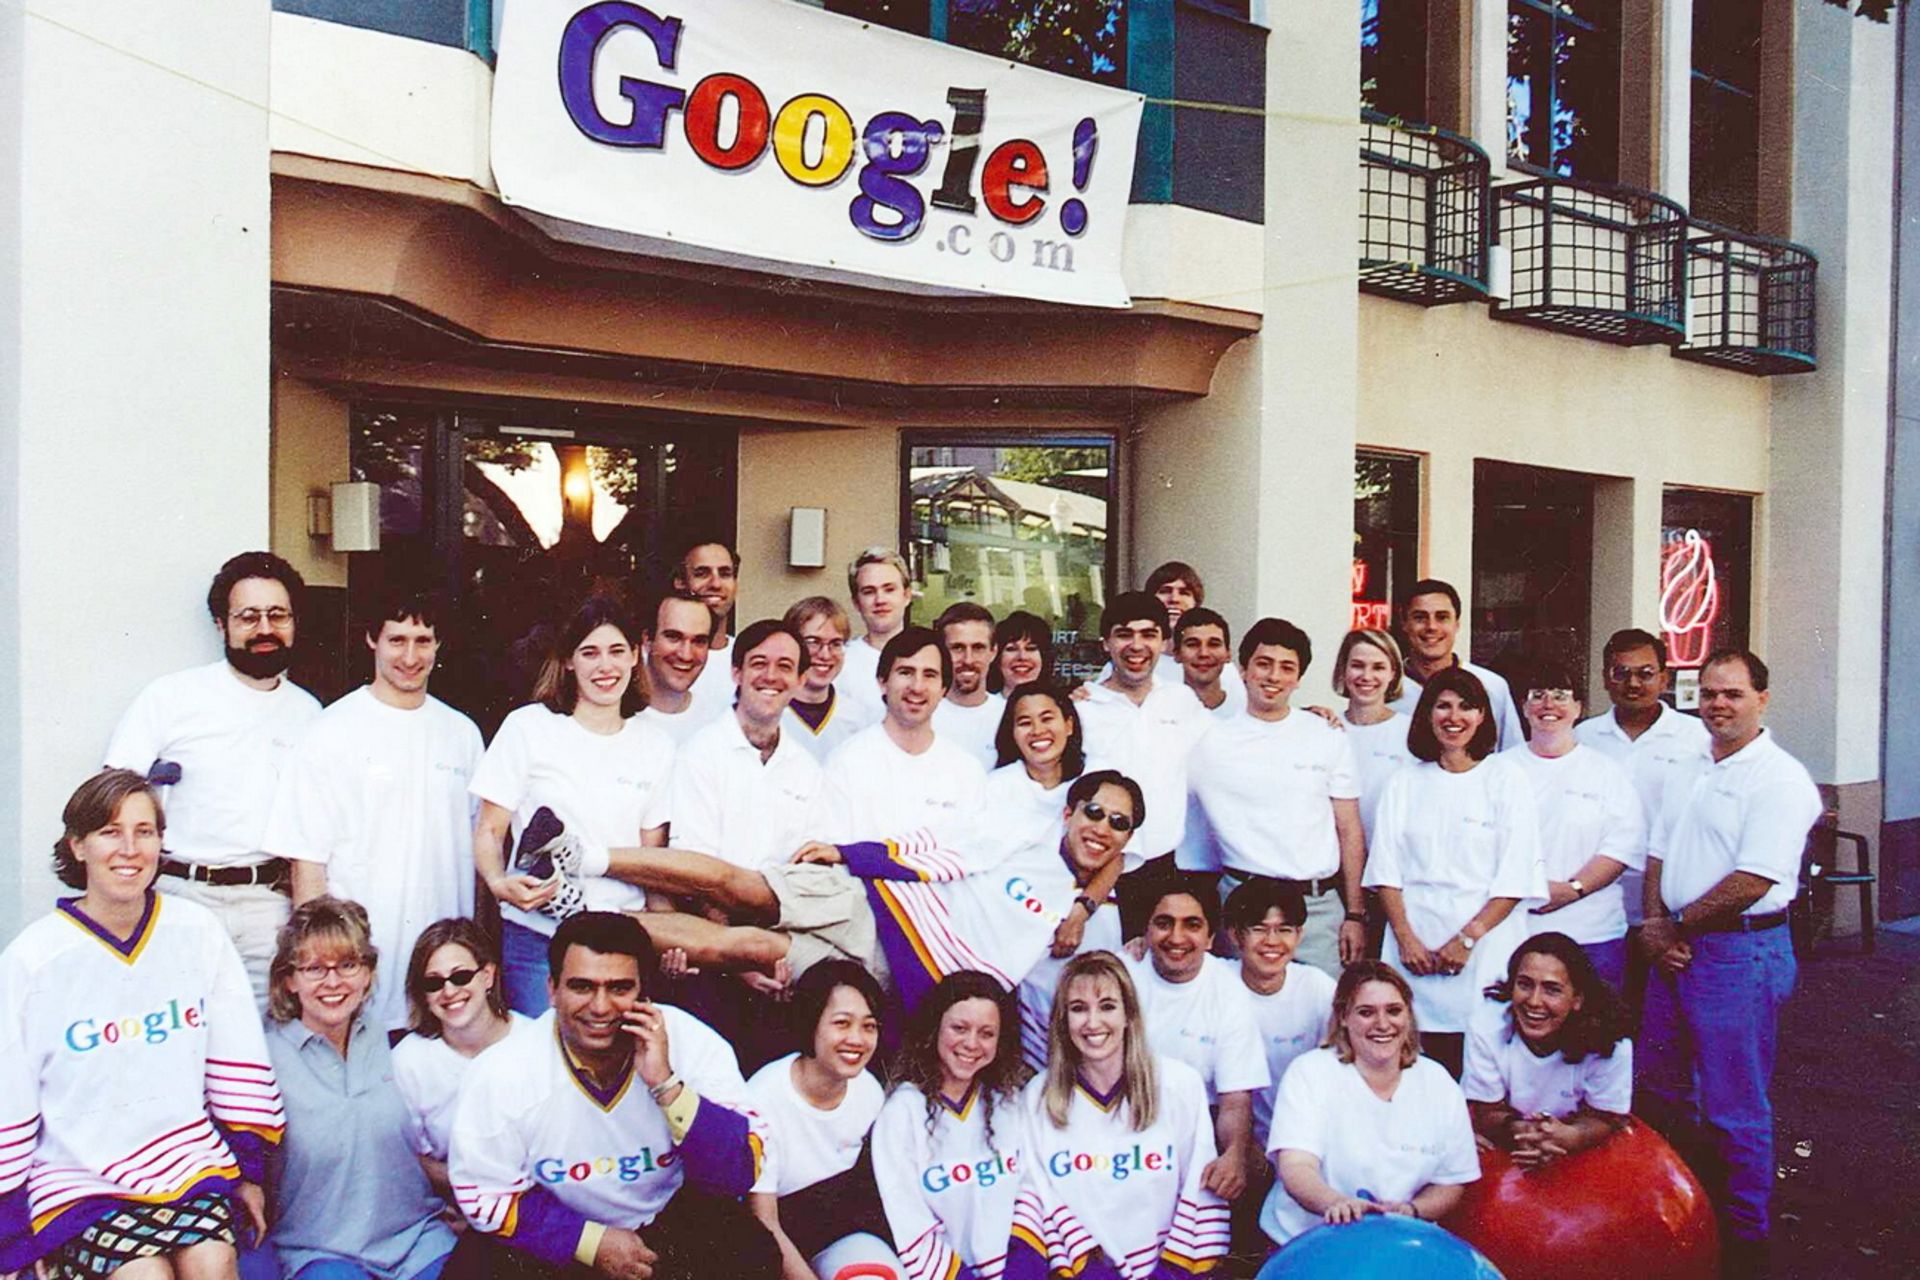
pixel 512 517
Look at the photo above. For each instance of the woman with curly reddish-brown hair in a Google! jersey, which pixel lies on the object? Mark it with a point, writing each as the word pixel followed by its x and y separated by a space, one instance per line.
pixel 948 1143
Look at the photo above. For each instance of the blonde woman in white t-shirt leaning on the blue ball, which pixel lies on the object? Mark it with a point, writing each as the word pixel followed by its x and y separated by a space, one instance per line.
pixel 1364 1124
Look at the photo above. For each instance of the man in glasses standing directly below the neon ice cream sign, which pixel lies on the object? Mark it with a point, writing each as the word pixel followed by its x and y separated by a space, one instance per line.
pixel 1650 740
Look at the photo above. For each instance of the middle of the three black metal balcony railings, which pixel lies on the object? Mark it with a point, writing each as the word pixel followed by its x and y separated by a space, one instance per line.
pixel 1595 260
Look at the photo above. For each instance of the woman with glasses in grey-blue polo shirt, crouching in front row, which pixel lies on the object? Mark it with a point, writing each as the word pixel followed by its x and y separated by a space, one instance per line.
pixel 350 1200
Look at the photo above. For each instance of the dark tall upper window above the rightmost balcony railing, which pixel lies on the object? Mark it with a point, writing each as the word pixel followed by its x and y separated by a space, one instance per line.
pixel 1727 112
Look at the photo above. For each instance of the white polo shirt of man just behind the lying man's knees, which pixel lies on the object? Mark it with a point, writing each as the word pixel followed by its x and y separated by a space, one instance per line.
pixel 732 805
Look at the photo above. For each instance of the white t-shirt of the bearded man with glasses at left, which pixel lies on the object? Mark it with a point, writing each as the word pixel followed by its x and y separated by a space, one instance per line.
pixel 231 742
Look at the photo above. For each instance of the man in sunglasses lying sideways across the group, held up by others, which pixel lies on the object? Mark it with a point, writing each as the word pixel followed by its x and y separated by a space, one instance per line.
pixel 911 911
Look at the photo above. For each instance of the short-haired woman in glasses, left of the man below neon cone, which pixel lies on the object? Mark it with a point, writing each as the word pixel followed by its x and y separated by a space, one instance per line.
pixel 1593 826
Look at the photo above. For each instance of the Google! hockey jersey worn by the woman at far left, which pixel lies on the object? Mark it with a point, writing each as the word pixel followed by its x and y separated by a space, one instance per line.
pixel 130 1072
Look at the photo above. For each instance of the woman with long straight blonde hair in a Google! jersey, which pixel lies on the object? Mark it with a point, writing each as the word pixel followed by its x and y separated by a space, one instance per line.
pixel 1116 1145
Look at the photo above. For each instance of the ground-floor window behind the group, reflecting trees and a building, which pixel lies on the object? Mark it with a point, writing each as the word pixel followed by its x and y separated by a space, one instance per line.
pixel 1015 523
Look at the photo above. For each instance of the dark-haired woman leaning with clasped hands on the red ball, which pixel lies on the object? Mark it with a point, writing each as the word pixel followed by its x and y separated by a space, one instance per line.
pixel 1550 1070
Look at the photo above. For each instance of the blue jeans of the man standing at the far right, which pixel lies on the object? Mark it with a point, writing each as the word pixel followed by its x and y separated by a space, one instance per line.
pixel 1708 1051
